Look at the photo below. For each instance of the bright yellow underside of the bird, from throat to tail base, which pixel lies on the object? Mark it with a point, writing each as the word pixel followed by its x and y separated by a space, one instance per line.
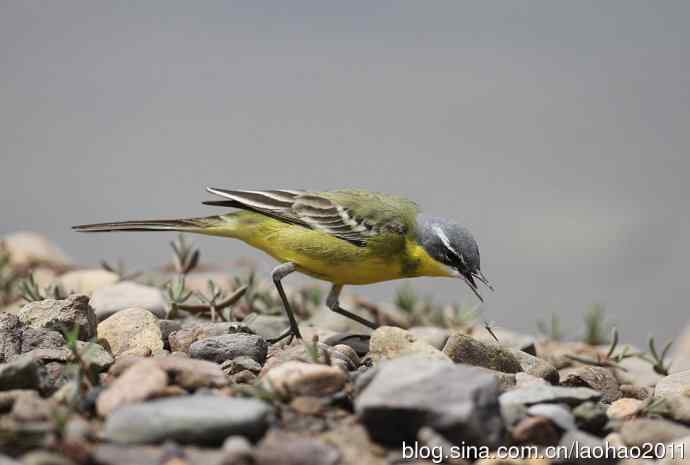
pixel 335 260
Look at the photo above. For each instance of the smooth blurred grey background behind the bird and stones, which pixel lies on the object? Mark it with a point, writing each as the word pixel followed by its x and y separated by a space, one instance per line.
pixel 556 131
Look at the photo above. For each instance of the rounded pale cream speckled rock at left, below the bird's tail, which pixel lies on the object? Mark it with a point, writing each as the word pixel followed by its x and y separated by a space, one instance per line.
pixel 134 328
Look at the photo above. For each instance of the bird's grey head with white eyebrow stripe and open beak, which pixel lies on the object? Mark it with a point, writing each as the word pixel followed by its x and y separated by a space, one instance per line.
pixel 454 246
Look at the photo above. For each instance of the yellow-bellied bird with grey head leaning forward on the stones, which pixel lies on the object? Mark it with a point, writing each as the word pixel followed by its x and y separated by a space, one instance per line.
pixel 344 237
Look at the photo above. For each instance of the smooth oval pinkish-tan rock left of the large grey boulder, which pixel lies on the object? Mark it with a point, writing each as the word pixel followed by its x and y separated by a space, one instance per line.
pixel 304 379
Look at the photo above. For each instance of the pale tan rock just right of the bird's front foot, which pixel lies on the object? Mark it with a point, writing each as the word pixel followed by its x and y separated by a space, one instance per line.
pixel 388 342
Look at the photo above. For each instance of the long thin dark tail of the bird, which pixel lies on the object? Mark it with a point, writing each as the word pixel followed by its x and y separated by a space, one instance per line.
pixel 212 225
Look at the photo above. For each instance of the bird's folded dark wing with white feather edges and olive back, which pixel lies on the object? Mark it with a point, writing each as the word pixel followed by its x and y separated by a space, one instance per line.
pixel 354 216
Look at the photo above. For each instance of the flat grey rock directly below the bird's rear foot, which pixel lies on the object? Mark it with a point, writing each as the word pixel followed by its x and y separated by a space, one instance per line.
pixel 229 346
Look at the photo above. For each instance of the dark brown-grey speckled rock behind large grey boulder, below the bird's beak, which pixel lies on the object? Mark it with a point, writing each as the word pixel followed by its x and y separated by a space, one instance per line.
pixel 465 349
